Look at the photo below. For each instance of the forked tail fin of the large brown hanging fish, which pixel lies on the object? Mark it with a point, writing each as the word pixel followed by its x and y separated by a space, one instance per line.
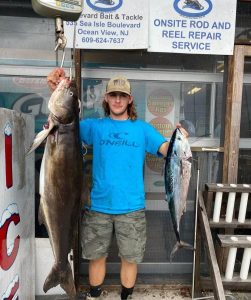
pixel 64 278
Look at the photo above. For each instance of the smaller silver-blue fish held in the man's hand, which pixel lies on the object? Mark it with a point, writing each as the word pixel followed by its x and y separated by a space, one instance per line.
pixel 177 177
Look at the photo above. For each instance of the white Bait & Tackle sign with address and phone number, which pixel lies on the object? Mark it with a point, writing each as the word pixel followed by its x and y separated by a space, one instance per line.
pixel 110 24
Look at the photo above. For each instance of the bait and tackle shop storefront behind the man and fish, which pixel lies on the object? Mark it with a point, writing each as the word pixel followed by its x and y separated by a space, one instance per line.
pixel 188 62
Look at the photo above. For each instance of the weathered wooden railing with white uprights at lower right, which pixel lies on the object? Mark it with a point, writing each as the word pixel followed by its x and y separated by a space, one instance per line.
pixel 222 212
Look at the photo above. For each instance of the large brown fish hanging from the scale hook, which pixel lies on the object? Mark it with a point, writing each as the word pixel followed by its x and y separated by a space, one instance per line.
pixel 60 181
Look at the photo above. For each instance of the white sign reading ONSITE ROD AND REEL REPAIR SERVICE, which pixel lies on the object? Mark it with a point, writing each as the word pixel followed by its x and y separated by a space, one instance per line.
pixel 192 26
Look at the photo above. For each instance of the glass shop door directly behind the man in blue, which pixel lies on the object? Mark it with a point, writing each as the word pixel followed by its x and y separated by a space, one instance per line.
pixel 193 99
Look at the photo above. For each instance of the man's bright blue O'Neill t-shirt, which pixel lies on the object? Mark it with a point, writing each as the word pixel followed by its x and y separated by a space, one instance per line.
pixel 118 158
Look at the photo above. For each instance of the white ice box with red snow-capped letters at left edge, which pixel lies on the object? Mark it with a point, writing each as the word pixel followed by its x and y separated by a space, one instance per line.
pixel 17 211
